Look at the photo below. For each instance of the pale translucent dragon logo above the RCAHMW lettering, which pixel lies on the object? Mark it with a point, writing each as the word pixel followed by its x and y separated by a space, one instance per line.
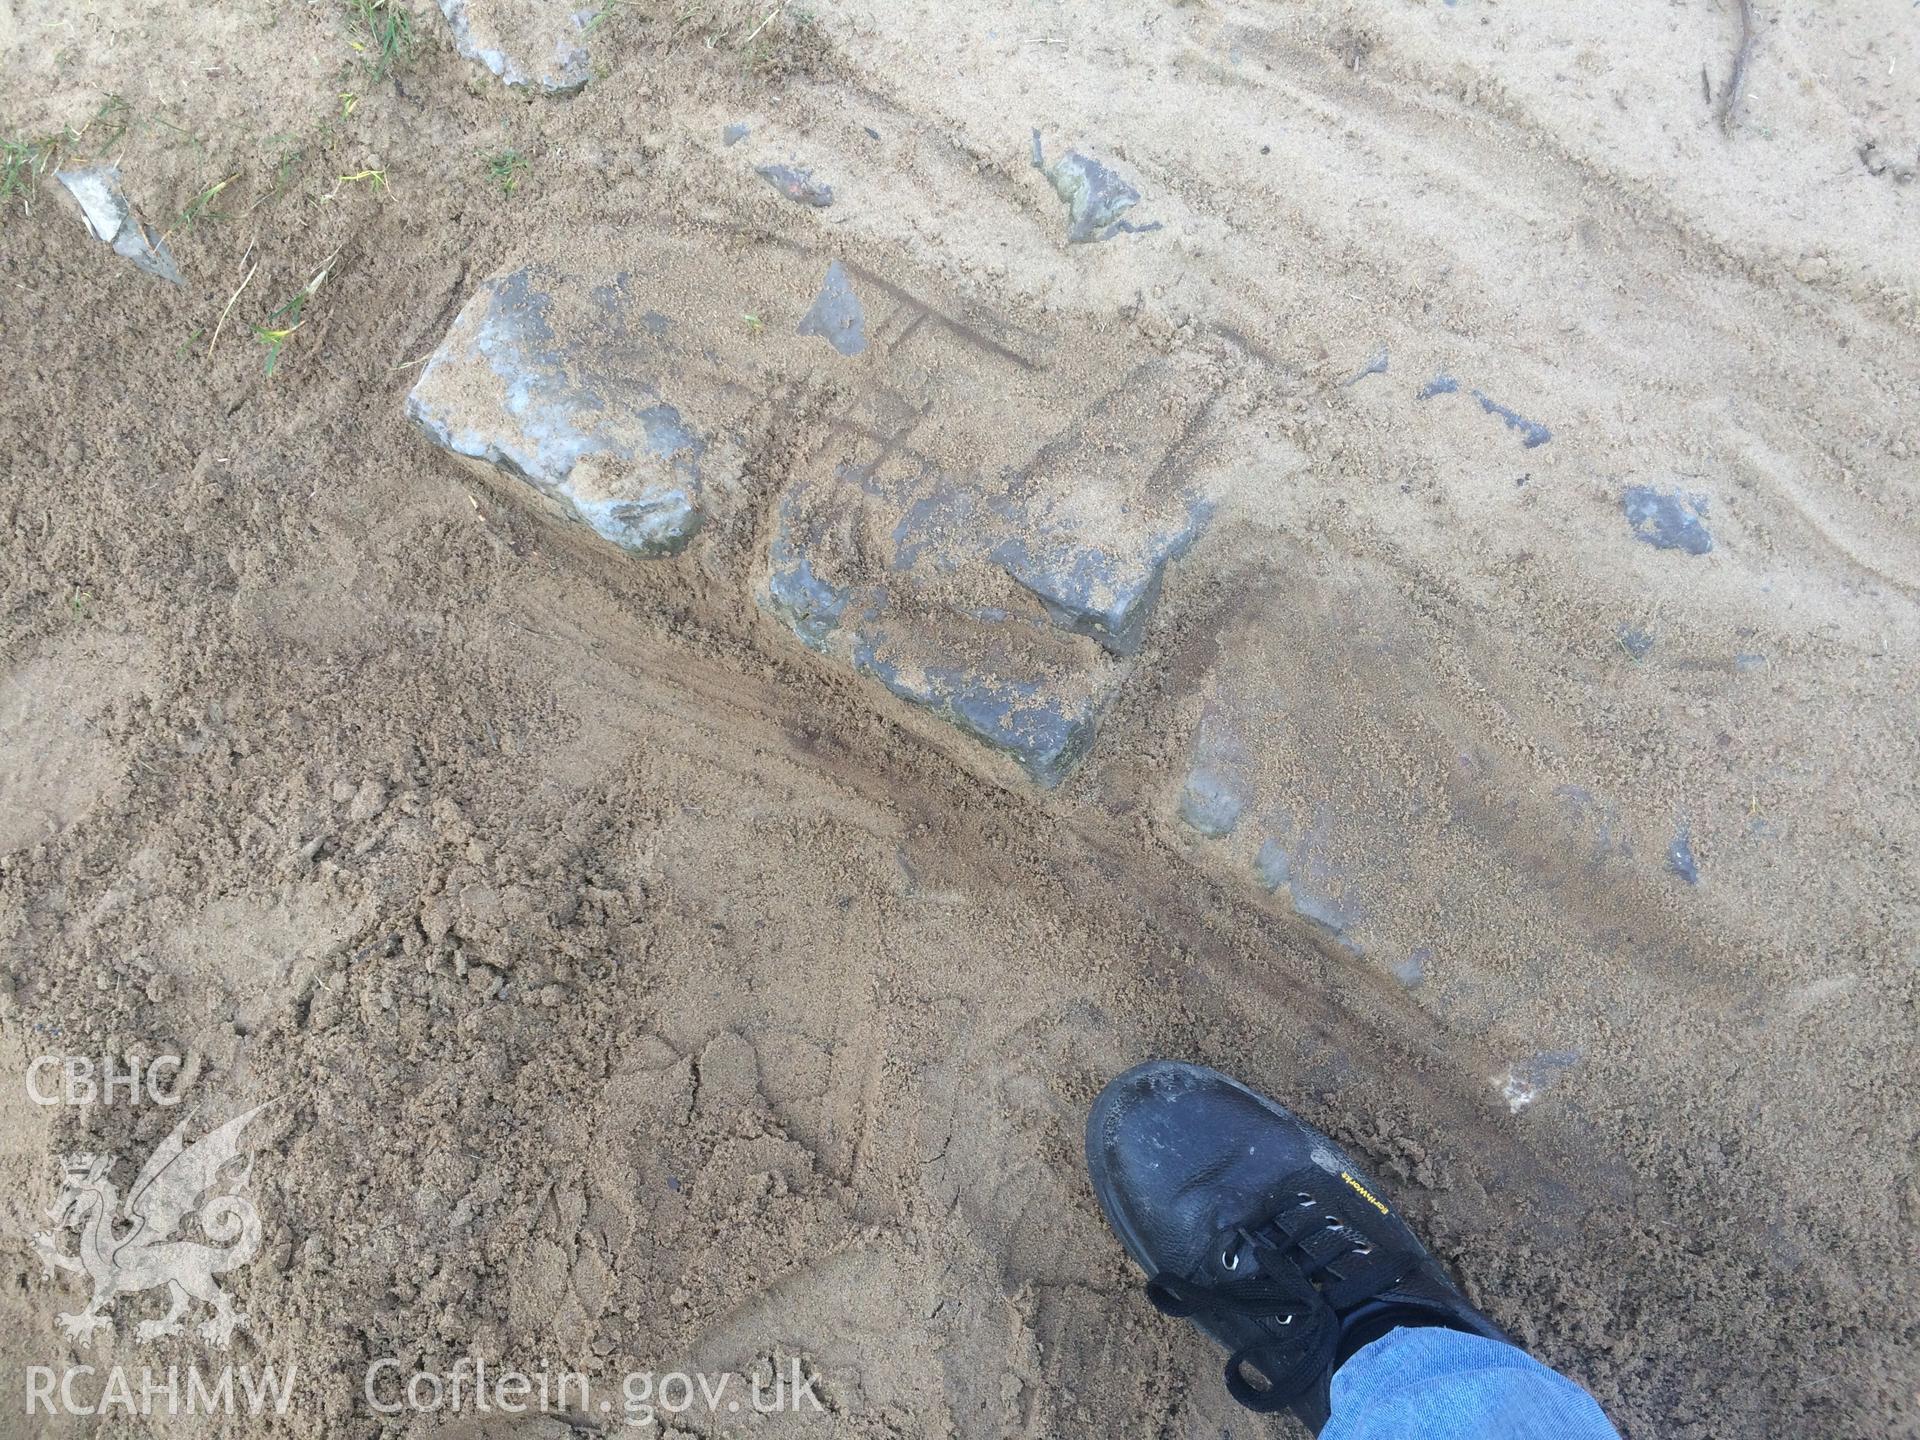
pixel 135 1247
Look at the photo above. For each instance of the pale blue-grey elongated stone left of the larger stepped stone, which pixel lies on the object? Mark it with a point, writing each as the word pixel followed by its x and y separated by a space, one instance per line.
pixel 508 393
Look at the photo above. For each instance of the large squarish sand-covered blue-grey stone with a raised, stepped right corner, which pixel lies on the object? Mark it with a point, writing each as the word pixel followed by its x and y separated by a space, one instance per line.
pixel 980 537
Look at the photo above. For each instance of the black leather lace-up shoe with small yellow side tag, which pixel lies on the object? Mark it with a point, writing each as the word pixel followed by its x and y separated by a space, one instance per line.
pixel 1262 1232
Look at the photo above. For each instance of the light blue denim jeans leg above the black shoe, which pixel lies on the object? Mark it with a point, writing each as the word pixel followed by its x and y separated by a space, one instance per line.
pixel 1429 1383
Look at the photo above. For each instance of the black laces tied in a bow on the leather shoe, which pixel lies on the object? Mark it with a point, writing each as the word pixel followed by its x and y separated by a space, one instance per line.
pixel 1301 1274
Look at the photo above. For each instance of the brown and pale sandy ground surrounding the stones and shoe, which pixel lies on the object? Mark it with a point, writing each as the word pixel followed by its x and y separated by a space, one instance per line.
pixel 636 992
